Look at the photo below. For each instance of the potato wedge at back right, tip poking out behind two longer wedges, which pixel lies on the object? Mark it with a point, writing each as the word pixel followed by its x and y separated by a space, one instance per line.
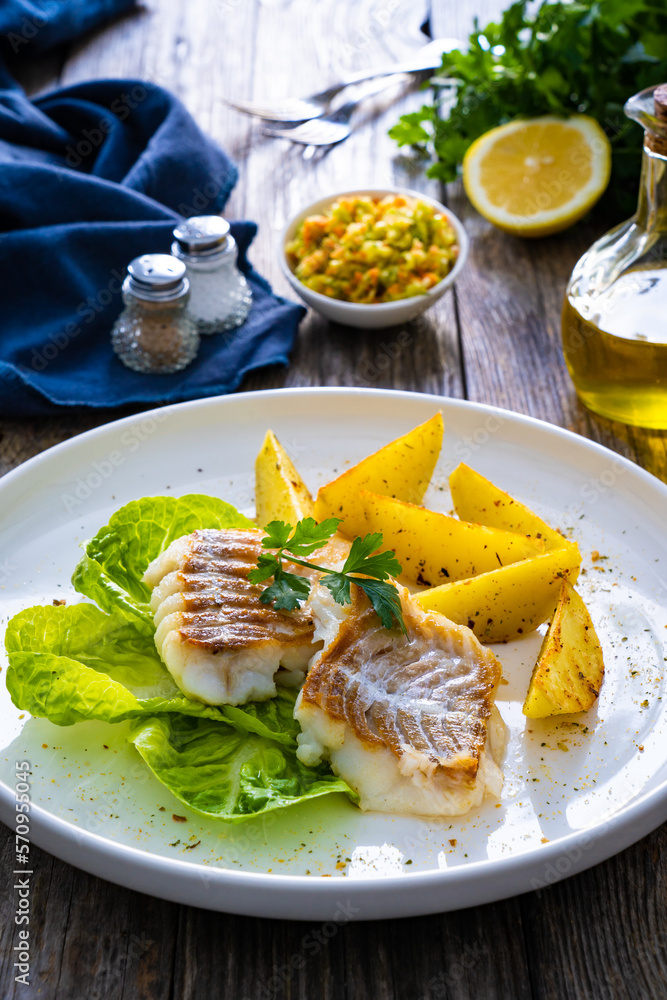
pixel 477 499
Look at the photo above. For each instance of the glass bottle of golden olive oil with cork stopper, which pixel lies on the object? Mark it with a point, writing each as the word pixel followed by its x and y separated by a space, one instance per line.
pixel 615 309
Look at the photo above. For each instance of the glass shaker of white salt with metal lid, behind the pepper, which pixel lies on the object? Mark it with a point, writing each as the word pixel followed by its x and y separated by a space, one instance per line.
pixel 220 295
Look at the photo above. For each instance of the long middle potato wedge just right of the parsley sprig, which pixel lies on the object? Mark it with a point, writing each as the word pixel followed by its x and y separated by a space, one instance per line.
pixel 434 548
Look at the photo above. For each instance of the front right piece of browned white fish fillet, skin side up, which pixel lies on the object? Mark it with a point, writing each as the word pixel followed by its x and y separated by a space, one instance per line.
pixel 407 721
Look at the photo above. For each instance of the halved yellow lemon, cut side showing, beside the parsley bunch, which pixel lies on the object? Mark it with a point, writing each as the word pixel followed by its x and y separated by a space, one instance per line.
pixel 536 176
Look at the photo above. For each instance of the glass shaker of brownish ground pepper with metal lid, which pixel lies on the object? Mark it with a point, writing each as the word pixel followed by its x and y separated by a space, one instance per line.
pixel 155 332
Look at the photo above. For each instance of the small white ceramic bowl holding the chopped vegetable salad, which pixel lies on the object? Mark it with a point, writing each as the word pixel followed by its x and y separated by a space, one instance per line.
pixel 363 314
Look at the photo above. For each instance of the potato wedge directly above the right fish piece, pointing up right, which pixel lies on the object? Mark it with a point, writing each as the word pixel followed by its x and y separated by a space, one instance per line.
pixel 506 603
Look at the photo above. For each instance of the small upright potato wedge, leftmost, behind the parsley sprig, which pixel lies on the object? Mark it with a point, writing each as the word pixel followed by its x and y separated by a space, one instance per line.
pixel 280 492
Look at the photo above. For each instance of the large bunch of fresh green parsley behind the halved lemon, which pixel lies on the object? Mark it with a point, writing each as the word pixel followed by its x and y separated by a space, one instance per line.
pixel 584 56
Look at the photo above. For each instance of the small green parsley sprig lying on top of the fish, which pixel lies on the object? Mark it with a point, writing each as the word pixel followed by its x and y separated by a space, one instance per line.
pixel 289 590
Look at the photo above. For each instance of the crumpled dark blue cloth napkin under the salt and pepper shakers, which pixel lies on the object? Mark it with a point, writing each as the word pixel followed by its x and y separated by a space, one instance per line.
pixel 90 177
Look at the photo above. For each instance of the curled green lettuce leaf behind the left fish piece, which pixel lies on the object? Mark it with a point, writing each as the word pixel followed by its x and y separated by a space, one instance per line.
pixel 116 558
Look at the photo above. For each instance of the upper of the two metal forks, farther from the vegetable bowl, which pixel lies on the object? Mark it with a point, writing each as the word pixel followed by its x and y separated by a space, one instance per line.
pixel 295 109
